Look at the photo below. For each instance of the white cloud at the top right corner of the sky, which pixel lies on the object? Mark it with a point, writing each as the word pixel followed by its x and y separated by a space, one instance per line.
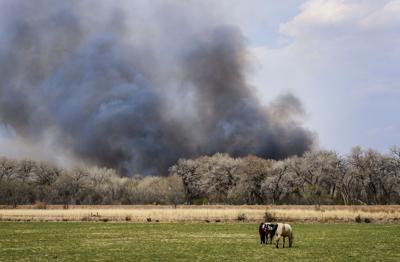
pixel 338 17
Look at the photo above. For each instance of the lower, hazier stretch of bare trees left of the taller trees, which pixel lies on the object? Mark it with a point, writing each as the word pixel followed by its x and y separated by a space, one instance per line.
pixel 29 182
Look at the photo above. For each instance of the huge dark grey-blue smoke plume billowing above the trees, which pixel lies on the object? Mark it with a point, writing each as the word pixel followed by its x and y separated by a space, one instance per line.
pixel 136 85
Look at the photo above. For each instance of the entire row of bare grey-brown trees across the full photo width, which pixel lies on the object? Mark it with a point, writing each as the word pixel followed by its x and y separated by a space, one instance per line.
pixel 316 177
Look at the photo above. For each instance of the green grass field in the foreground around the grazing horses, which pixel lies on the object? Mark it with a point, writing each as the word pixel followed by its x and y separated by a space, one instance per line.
pixel 84 241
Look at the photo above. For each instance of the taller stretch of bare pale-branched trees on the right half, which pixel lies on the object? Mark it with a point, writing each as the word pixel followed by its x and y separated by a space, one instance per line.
pixel 317 177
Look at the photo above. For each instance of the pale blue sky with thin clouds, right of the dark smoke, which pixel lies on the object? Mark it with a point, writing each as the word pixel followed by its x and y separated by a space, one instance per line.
pixel 341 58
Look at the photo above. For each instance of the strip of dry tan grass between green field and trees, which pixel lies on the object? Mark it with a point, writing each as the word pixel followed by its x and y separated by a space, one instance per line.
pixel 209 213
